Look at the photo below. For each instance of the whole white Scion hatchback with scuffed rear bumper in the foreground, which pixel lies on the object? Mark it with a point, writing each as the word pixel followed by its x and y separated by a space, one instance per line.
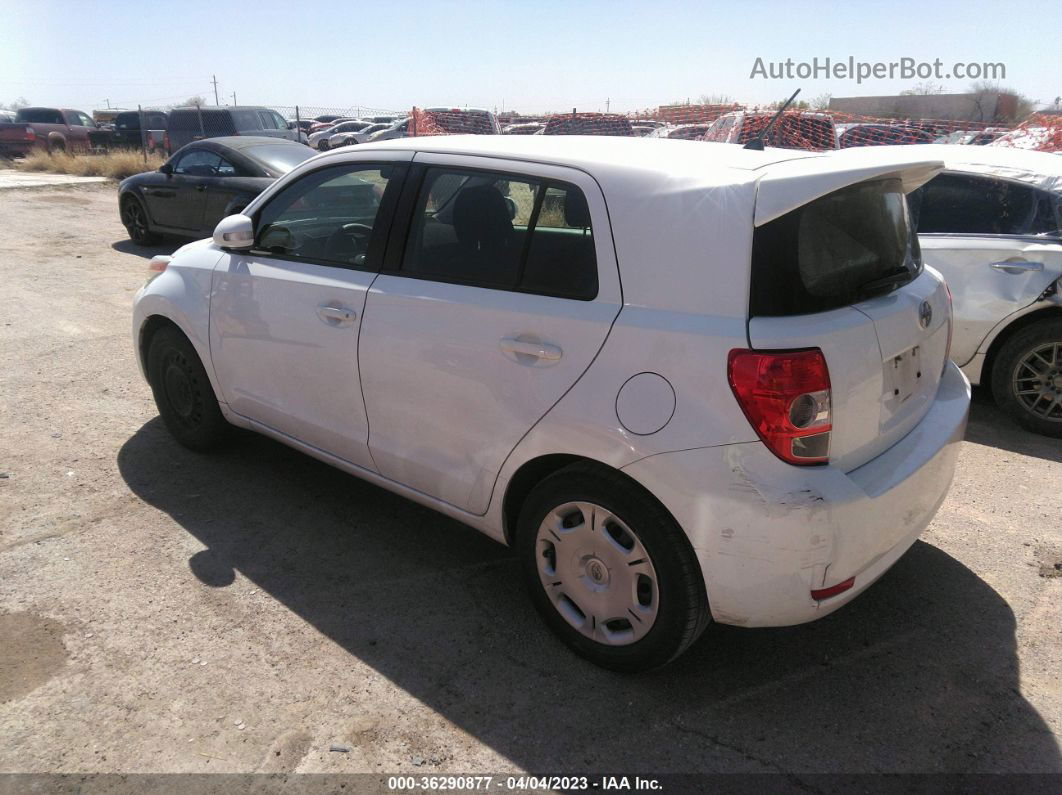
pixel 687 382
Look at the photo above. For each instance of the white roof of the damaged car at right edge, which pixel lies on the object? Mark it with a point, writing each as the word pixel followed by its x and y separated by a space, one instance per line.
pixel 1039 169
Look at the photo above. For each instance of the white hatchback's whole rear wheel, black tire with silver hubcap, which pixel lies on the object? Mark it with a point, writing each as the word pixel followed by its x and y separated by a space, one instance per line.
pixel 610 571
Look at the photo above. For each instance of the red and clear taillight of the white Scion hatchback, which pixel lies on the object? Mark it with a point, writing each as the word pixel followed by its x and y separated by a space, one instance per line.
pixel 785 394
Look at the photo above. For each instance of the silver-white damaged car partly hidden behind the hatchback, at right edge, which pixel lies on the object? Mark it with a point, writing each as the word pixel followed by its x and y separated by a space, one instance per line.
pixel 991 224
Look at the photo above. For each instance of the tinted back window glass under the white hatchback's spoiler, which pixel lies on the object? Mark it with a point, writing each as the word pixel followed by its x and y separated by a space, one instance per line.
pixel 831 252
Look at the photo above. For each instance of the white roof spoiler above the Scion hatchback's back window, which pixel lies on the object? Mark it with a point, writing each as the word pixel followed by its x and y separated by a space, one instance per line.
pixel 791 184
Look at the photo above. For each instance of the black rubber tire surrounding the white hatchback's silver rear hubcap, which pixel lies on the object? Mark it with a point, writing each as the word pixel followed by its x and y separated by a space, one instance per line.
pixel 683 610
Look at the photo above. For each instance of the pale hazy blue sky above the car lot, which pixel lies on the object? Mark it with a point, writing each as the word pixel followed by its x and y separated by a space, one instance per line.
pixel 532 57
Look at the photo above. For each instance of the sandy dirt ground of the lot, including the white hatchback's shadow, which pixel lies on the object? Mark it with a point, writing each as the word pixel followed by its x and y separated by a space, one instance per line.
pixel 167 612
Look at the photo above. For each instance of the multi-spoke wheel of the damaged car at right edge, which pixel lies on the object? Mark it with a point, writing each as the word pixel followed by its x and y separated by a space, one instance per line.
pixel 1040 413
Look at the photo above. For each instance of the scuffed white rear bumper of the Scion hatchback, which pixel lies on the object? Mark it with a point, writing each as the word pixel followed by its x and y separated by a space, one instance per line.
pixel 767 533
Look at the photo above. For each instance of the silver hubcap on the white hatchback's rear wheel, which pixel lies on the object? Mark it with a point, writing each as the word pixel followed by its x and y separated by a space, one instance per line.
pixel 597 574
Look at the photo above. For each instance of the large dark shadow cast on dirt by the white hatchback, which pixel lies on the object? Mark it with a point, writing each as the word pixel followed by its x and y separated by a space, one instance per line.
pixel 920 673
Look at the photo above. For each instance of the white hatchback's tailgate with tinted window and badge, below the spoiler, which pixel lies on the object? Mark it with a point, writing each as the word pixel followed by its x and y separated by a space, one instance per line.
pixel 844 274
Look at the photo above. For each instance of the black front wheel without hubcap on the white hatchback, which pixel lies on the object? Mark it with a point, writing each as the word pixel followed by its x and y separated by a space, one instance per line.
pixel 183 393
